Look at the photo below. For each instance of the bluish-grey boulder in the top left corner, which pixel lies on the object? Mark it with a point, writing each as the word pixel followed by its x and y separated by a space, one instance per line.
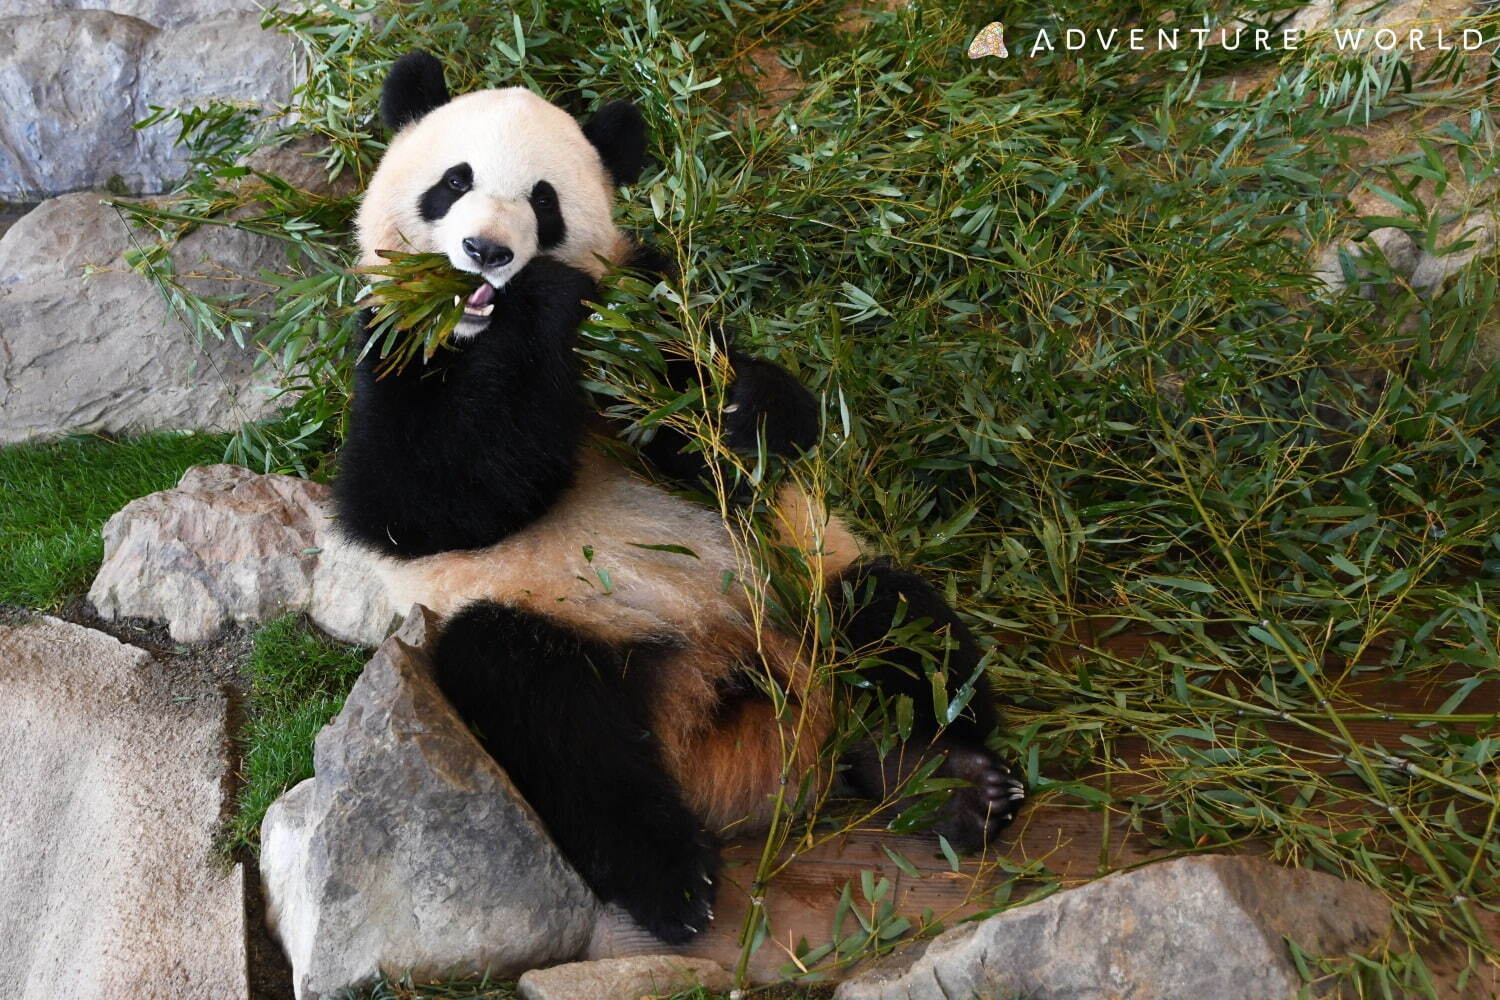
pixel 74 83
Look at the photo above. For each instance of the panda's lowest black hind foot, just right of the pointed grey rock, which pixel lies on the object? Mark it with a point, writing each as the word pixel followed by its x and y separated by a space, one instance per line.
pixel 674 896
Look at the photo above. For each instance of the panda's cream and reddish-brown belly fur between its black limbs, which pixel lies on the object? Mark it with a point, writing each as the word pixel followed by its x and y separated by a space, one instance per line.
pixel 608 561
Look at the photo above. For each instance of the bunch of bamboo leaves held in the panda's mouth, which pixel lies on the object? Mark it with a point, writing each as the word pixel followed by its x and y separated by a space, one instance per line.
pixel 421 301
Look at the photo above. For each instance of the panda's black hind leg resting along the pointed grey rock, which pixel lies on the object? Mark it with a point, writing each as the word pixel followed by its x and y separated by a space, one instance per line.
pixel 553 708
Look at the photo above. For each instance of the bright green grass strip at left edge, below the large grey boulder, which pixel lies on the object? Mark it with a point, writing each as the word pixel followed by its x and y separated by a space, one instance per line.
pixel 56 497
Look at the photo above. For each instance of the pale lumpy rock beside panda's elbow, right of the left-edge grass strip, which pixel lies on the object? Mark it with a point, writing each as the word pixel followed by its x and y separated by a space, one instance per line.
pixel 229 545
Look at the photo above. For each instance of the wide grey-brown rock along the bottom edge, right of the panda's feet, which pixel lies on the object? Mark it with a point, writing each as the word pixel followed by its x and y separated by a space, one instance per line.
pixel 1195 927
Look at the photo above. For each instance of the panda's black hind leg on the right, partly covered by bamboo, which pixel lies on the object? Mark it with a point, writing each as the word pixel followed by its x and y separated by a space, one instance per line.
pixel 872 602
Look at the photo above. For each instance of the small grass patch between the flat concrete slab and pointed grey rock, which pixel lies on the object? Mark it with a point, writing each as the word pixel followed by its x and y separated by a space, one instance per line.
pixel 299 680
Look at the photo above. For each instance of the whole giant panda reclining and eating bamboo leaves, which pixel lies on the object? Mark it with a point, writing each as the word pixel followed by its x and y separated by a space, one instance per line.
pixel 629 716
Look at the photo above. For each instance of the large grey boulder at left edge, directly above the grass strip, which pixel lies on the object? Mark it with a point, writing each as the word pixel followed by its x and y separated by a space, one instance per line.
pixel 103 353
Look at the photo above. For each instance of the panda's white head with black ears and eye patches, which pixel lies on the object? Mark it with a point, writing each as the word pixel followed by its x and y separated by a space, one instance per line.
pixel 496 178
